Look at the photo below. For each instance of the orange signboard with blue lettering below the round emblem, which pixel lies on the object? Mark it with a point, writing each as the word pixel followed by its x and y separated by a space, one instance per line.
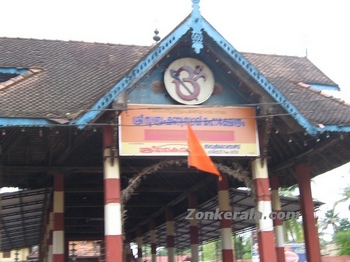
pixel 161 130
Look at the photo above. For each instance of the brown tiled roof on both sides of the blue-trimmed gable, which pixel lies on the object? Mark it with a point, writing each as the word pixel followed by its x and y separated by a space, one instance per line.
pixel 71 76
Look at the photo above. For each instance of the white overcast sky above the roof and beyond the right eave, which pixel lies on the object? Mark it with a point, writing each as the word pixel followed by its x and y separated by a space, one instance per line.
pixel 318 29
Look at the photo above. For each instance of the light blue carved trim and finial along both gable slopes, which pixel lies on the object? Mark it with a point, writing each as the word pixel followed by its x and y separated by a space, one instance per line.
pixel 198 24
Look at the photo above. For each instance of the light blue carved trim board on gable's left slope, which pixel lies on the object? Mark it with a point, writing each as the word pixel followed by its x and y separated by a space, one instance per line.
pixel 141 68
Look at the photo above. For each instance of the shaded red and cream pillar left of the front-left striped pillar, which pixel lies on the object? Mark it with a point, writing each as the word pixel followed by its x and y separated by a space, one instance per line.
pixel 58 217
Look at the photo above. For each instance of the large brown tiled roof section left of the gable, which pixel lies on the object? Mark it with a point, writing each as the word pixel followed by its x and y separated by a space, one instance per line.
pixel 74 75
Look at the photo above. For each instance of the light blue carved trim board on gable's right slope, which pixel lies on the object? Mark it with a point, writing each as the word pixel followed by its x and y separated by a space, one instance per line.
pixel 259 78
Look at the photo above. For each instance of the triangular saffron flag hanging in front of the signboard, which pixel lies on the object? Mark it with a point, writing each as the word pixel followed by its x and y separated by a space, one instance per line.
pixel 197 157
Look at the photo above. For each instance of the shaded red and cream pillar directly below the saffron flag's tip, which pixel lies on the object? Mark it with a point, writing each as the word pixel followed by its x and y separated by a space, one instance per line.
pixel 225 224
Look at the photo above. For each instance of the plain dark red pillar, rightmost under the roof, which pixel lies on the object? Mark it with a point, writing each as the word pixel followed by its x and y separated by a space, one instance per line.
pixel 303 176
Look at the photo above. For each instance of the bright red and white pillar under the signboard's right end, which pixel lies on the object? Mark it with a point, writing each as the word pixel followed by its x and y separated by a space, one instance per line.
pixel 267 251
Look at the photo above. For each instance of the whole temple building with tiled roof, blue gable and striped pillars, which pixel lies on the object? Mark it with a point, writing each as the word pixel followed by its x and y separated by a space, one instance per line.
pixel 96 138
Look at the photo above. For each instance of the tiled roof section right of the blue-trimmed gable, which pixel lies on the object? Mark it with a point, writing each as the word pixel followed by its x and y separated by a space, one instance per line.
pixel 292 76
